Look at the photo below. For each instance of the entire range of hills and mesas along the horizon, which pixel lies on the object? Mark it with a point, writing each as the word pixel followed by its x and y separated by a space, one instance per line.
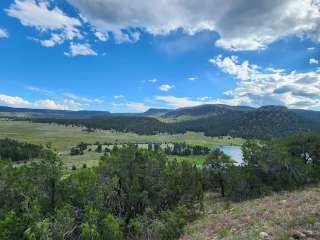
pixel 214 120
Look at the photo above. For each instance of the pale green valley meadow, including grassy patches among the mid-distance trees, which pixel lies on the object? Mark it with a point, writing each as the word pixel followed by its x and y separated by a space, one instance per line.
pixel 62 138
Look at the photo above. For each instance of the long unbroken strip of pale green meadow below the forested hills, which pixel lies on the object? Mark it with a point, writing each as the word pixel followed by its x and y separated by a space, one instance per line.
pixel 62 138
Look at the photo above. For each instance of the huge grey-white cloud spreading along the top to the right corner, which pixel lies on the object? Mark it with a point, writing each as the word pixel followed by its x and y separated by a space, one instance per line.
pixel 241 24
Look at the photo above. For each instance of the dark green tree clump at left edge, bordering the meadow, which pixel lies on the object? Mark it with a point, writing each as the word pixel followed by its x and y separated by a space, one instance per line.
pixel 18 151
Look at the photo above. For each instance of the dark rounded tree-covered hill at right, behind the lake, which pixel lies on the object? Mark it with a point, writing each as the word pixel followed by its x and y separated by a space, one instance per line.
pixel 264 122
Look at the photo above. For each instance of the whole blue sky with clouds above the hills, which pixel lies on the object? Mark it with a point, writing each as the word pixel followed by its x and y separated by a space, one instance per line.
pixel 132 55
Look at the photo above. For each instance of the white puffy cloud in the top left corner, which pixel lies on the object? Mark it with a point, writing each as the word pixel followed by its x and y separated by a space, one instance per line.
pixel 45 18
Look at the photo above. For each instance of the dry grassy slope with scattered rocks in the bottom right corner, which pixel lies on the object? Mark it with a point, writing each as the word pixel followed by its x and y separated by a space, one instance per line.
pixel 276 217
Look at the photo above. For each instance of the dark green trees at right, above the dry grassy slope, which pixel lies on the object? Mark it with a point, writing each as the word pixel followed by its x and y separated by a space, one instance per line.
pixel 277 165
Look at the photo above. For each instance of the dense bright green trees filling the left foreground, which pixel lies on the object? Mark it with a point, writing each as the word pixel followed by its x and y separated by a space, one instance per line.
pixel 133 194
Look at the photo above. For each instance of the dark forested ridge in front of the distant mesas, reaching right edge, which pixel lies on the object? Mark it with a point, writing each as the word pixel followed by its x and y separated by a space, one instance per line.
pixel 262 123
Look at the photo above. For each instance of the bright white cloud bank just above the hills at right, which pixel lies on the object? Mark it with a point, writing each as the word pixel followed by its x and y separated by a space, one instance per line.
pixel 257 86
